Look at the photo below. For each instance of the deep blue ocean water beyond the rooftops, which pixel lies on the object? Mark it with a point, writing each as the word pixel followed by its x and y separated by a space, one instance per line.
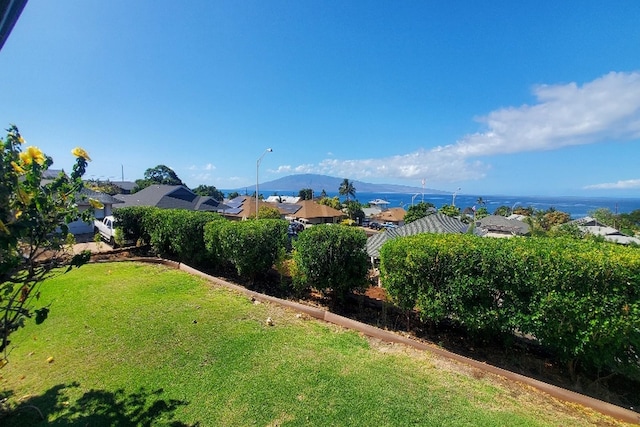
pixel 577 207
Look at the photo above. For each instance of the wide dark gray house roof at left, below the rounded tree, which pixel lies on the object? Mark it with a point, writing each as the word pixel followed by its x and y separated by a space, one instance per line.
pixel 171 197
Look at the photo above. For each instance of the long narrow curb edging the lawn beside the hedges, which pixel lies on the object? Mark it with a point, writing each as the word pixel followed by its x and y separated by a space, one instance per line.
pixel 605 408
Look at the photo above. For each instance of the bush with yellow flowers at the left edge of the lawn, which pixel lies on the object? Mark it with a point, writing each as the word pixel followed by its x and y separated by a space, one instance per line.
pixel 34 217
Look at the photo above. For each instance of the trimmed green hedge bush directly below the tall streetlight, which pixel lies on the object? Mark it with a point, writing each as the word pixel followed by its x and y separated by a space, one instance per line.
pixel 252 247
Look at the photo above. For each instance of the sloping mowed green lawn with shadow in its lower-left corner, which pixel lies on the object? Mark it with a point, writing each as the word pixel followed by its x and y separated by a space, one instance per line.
pixel 136 344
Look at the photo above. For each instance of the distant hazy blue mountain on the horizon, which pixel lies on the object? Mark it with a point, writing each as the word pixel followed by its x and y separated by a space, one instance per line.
pixel 331 184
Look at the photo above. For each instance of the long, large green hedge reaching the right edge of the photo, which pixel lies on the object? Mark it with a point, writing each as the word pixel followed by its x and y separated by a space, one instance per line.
pixel 580 299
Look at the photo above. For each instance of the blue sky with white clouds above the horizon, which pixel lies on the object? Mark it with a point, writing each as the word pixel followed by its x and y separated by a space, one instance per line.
pixel 492 97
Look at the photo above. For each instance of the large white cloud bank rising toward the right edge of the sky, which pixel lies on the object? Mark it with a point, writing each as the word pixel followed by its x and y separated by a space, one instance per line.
pixel 603 110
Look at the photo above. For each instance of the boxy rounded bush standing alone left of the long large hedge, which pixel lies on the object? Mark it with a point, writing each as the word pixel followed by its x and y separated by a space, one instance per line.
pixel 331 258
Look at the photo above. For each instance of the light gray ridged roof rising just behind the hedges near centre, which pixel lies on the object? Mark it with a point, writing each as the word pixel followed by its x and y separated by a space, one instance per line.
pixel 434 223
